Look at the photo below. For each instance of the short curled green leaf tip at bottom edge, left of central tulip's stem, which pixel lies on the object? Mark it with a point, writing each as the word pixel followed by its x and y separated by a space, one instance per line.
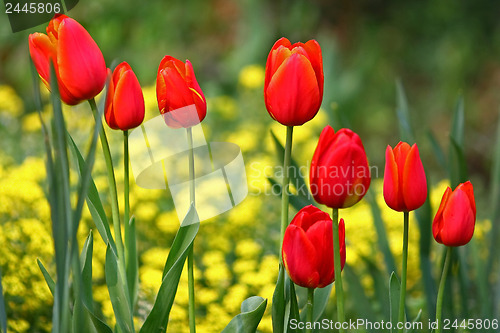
pixel 252 310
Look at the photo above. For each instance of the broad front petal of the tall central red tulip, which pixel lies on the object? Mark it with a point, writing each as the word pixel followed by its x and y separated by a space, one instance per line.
pixel 293 96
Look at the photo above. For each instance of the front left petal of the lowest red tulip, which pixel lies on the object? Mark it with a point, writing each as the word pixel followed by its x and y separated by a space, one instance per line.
pixel 299 257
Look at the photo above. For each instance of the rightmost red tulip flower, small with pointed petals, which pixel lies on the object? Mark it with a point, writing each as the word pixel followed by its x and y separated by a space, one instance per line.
pixel 456 217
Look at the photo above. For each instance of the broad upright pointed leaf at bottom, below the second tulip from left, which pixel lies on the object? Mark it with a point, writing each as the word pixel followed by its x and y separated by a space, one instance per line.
pixel 115 280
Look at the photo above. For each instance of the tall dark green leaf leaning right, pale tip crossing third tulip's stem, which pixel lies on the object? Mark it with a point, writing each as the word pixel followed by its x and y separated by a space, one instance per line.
pixel 157 319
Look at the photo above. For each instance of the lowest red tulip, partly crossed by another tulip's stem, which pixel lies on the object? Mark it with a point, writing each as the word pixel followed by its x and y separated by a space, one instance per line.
pixel 308 248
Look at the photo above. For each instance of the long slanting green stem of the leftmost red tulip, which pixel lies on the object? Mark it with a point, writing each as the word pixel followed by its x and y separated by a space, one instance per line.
pixel 115 213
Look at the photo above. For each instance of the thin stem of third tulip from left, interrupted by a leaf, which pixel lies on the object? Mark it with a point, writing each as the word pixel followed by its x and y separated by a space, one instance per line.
pixel 190 260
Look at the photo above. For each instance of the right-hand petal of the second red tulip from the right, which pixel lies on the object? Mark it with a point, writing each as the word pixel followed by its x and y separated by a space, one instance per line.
pixel 414 180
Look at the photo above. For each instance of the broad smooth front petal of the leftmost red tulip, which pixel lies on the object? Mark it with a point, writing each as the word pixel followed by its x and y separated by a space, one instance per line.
pixel 81 66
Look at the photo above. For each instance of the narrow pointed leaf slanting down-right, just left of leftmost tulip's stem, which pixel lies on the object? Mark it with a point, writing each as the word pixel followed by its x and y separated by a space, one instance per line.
pixel 94 201
